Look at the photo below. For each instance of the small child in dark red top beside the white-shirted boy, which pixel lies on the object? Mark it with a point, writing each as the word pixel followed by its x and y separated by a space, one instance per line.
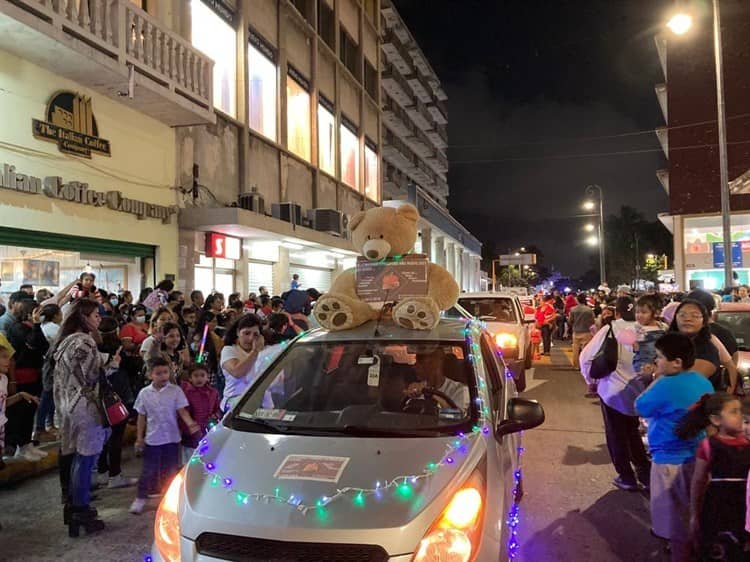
pixel 203 406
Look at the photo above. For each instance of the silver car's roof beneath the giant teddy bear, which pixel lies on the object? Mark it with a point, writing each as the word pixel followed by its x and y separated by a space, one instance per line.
pixel 446 330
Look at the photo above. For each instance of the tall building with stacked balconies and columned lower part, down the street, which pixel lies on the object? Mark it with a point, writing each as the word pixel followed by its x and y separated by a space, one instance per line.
pixel 415 142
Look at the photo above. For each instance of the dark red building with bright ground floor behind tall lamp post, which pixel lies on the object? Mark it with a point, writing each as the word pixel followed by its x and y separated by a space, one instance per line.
pixel 690 142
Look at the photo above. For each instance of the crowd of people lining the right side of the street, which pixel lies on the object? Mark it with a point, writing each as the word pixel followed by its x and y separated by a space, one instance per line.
pixel 664 367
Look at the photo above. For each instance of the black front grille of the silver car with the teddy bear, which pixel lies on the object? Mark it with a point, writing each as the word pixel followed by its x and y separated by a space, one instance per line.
pixel 247 549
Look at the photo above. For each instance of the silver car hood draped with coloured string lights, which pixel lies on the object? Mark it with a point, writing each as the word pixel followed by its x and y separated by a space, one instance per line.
pixel 251 460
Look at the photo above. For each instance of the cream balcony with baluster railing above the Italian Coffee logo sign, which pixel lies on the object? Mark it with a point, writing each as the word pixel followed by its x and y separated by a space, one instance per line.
pixel 99 43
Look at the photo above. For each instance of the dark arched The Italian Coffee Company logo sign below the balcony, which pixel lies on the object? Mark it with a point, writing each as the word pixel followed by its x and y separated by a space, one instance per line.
pixel 71 124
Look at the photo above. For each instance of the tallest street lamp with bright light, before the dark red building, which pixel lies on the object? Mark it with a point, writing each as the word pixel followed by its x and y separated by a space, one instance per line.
pixel 681 24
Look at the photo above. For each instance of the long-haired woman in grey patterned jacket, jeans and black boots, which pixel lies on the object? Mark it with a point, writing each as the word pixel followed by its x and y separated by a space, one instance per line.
pixel 78 366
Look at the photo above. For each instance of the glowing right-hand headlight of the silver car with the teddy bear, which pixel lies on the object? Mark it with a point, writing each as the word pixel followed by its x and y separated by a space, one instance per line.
pixel 456 534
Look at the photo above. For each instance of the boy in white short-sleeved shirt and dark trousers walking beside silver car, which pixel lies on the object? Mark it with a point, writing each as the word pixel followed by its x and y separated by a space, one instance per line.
pixel 158 406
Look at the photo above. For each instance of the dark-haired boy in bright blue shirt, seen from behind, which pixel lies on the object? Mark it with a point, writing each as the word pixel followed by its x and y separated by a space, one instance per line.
pixel 663 405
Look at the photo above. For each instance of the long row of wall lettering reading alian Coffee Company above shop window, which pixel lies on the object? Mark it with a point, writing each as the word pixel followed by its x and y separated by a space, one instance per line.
pixel 80 192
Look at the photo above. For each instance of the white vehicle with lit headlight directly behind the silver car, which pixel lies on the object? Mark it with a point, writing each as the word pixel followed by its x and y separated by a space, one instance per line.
pixel 505 319
